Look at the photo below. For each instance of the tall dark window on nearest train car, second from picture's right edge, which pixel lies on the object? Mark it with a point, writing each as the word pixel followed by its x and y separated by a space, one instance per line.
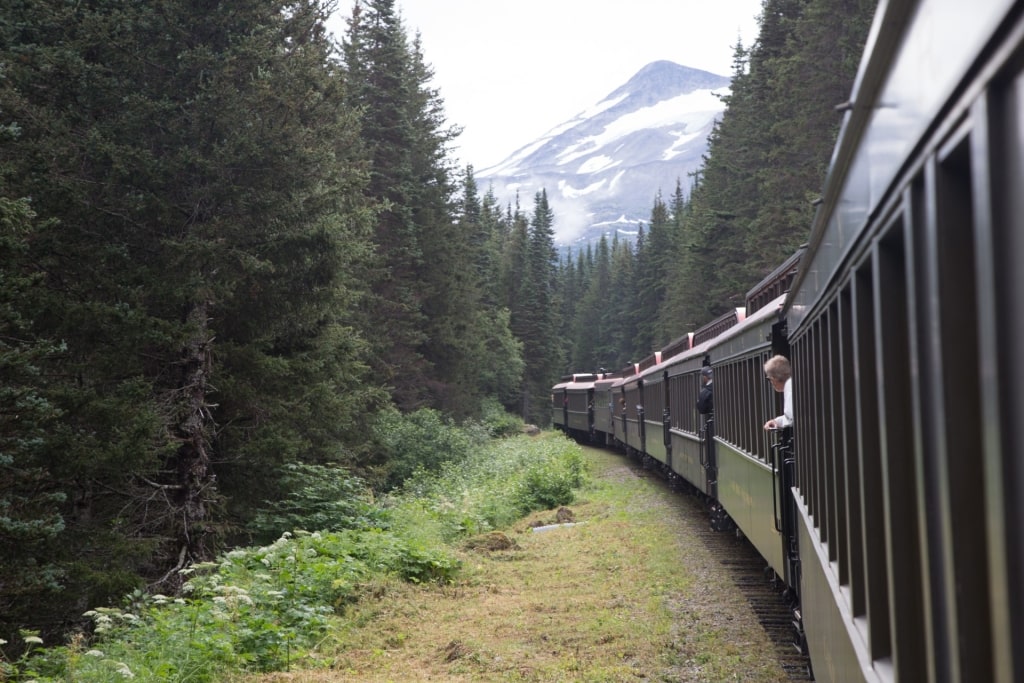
pixel 950 410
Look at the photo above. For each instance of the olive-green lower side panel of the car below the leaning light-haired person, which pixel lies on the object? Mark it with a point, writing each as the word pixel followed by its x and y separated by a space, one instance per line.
pixel 746 490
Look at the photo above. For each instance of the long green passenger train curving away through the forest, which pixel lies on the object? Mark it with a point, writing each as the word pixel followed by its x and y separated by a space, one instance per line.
pixel 892 508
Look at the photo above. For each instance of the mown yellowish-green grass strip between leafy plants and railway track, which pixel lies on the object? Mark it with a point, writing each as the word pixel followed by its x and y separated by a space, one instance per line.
pixel 606 600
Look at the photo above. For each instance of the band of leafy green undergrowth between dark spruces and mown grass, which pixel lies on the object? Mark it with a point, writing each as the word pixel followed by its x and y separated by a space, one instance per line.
pixel 281 607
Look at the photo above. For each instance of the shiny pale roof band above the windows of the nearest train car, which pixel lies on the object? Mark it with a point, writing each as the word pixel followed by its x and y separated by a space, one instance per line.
pixel 907 40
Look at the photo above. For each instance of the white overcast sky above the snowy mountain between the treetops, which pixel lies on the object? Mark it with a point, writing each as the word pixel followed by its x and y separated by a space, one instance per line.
pixel 509 72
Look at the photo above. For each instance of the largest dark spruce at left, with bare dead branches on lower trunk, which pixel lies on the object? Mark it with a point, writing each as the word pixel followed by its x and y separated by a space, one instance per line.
pixel 204 234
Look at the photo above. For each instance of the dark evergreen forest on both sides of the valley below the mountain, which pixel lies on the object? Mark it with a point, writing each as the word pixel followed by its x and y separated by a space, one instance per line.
pixel 235 247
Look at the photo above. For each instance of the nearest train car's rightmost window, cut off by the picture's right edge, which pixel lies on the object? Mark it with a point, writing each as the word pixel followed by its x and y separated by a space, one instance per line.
pixel 1001 253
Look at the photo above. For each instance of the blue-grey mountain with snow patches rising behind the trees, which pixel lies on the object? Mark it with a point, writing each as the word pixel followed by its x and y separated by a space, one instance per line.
pixel 604 167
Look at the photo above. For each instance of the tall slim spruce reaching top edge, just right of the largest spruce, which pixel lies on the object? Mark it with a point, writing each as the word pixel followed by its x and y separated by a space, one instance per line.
pixel 383 84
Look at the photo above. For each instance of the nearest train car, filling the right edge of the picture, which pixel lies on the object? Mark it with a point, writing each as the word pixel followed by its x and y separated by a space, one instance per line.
pixel 906 323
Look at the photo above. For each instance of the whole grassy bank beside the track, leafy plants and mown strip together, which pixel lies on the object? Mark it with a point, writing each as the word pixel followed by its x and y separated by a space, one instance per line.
pixel 456 586
